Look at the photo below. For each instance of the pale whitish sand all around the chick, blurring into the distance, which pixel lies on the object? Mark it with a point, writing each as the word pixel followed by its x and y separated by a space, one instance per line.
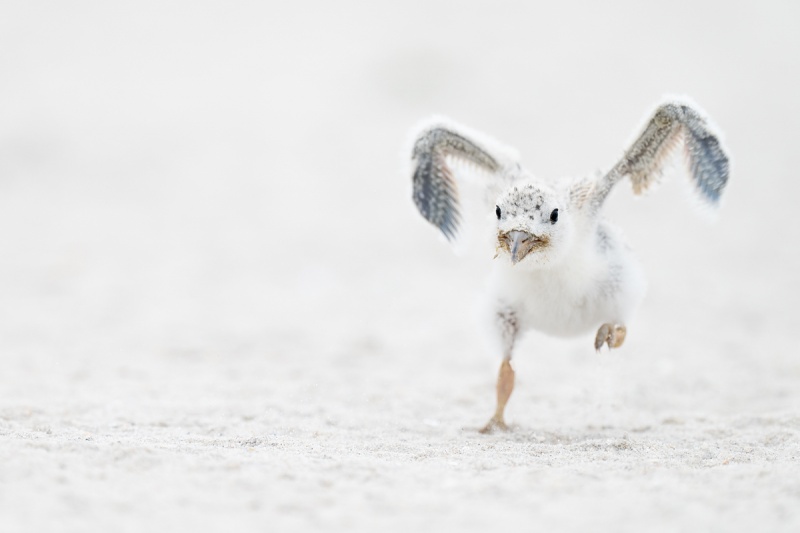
pixel 219 309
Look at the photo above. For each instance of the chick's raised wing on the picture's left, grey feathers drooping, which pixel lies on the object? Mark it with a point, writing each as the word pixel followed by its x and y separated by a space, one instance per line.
pixel 439 146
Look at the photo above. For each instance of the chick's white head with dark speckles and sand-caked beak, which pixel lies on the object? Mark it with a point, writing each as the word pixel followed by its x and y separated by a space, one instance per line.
pixel 533 226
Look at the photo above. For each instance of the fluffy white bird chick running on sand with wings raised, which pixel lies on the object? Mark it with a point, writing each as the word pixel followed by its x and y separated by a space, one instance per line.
pixel 561 268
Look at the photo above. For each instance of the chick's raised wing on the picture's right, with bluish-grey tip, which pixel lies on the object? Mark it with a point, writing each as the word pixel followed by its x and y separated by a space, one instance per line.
pixel 673 123
